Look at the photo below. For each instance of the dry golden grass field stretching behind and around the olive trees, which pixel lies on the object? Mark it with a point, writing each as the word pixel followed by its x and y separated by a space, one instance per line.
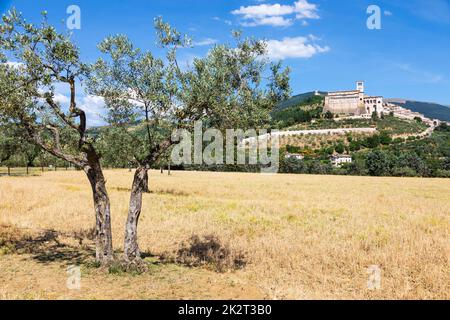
pixel 304 237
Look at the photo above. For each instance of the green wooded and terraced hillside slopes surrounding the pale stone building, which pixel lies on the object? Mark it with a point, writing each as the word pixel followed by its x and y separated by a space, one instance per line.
pixel 400 148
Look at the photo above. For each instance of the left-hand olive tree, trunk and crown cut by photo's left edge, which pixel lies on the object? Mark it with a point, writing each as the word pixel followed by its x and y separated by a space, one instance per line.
pixel 43 59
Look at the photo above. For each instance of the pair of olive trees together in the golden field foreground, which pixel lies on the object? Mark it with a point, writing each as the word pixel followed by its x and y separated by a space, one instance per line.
pixel 146 98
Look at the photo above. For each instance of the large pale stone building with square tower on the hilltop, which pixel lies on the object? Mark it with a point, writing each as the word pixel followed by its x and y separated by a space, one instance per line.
pixel 353 103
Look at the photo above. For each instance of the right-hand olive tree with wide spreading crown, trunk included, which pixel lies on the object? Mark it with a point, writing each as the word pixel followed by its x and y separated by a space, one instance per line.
pixel 234 86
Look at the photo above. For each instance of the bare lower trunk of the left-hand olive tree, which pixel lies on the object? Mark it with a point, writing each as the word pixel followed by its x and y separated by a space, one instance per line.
pixel 103 234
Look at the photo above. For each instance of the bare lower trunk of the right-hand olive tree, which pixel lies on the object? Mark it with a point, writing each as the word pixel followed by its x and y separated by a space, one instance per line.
pixel 131 248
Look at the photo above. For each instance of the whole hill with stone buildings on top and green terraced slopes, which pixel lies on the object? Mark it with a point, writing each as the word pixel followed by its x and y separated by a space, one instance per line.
pixel 343 129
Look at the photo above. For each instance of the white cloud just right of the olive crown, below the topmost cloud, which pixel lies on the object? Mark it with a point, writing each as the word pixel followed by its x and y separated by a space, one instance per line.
pixel 298 47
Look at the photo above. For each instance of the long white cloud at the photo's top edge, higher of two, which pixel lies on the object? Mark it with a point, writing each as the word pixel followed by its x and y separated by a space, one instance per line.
pixel 277 15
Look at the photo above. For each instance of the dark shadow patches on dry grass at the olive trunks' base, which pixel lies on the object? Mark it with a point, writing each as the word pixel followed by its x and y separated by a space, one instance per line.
pixel 50 246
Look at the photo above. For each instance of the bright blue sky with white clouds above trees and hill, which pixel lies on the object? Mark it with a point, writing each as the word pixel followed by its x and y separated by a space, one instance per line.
pixel 325 42
